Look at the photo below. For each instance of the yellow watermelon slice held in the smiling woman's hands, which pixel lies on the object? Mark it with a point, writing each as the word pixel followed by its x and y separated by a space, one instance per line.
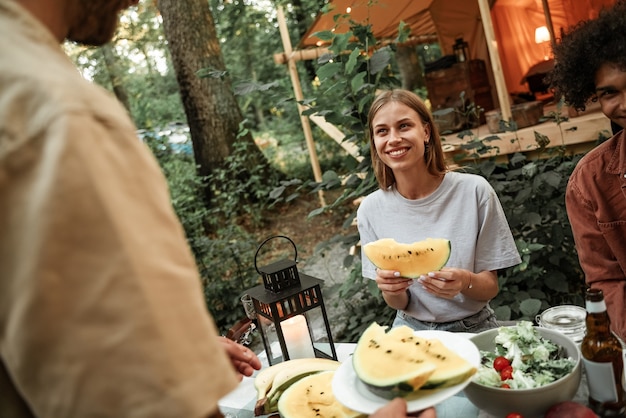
pixel 411 260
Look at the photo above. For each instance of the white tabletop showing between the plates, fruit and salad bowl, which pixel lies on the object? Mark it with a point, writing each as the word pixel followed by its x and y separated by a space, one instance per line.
pixel 240 402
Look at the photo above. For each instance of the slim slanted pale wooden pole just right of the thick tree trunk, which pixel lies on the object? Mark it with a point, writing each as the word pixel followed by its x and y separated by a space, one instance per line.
pixel 297 89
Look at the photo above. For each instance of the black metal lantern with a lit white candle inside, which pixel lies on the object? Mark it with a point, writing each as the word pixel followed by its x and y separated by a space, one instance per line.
pixel 290 312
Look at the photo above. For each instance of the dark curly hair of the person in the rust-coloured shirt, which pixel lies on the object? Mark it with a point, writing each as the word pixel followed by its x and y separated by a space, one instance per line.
pixel 583 49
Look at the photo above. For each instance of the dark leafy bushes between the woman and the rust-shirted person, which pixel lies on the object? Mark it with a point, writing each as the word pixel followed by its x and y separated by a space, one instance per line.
pixel 532 193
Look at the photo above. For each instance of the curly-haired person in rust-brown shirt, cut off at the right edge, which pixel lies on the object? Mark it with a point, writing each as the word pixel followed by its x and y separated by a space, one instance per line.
pixel 591 66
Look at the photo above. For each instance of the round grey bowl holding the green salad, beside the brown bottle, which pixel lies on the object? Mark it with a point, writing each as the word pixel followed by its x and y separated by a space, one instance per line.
pixel 529 402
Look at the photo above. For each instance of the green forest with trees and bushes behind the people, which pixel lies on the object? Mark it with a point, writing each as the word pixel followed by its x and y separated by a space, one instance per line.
pixel 199 80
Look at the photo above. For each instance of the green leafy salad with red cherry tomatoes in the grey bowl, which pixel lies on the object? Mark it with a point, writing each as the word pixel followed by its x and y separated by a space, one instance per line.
pixel 522 359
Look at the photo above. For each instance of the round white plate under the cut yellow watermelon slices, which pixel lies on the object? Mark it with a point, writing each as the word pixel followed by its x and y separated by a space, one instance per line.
pixel 353 393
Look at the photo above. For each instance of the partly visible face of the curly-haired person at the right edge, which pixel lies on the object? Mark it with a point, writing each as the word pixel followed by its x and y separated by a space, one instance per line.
pixel 611 92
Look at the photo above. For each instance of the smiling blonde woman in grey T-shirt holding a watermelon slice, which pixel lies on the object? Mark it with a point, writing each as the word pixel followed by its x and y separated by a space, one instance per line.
pixel 420 198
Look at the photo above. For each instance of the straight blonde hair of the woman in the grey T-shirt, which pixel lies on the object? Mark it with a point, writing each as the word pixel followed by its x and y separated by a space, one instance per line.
pixel 433 153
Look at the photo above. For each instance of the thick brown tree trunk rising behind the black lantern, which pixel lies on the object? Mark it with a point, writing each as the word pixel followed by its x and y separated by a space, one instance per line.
pixel 213 113
